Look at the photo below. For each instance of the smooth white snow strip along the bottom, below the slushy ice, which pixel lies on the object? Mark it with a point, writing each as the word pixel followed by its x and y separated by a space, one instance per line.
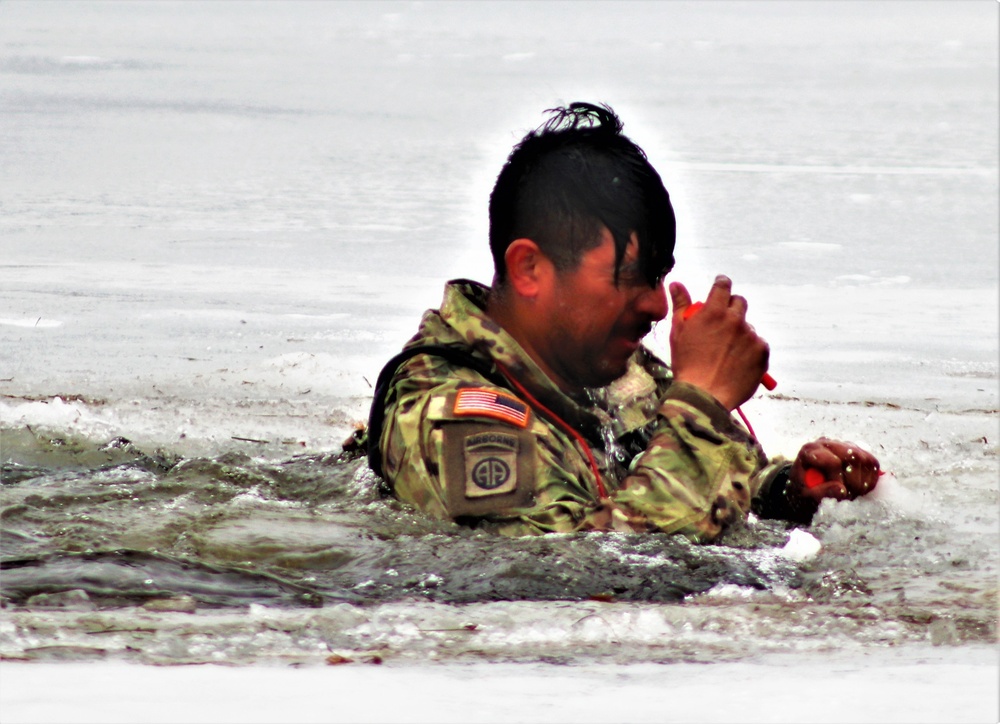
pixel 952 686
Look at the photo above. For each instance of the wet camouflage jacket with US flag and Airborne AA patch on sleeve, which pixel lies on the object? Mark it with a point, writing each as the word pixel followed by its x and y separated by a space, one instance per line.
pixel 459 444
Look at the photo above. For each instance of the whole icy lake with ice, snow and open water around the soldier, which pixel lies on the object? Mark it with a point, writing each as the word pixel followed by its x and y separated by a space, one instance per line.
pixel 220 219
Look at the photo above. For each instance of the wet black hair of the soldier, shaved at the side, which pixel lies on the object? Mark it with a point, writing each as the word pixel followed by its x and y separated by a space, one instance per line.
pixel 573 175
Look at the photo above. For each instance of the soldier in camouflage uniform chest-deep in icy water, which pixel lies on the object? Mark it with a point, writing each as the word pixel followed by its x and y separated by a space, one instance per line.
pixel 531 406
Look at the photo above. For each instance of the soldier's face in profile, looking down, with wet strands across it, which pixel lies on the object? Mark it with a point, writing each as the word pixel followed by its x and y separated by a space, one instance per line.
pixel 594 325
